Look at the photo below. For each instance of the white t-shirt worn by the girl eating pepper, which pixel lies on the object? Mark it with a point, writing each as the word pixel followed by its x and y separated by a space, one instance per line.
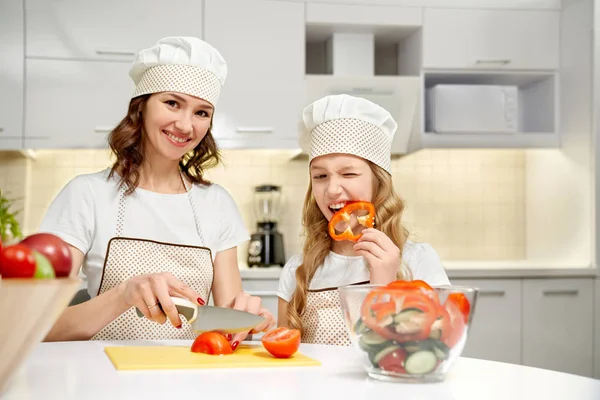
pixel 338 270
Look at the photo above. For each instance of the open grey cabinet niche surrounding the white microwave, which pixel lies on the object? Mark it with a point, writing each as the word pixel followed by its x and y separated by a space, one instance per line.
pixel 538 118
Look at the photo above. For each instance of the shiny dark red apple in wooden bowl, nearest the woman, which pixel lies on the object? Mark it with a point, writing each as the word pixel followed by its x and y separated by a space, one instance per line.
pixel 54 249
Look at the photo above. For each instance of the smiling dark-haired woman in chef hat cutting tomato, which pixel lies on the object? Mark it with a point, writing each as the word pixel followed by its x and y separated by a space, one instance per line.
pixel 151 226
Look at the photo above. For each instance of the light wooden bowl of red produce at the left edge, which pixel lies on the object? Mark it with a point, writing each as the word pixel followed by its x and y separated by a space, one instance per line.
pixel 35 288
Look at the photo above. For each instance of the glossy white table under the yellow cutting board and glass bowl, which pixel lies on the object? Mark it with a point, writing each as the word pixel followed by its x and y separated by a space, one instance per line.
pixel 81 370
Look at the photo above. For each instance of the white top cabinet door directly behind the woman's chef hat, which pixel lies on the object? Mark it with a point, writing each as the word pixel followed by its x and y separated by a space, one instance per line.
pixel 109 29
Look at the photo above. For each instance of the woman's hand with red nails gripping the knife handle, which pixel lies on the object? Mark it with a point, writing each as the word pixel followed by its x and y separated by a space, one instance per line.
pixel 146 291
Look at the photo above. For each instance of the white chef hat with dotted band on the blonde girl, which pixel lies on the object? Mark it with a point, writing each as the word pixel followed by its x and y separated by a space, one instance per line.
pixel 350 125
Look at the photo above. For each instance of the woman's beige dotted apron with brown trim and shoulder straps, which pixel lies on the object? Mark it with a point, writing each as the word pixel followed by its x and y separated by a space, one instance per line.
pixel 129 257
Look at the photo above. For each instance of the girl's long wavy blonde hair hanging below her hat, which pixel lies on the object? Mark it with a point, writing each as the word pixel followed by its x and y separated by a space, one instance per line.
pixel 388 209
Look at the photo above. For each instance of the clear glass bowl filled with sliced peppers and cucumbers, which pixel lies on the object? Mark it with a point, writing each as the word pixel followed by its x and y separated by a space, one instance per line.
pixel 408 331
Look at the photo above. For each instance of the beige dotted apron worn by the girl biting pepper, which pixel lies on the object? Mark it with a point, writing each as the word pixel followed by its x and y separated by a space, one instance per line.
pixel 323 320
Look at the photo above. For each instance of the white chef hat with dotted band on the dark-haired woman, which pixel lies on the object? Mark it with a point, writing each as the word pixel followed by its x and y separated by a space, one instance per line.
pixel 180 64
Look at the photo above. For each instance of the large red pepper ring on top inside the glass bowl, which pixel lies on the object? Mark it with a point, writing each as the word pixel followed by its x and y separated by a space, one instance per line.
pixel 411 317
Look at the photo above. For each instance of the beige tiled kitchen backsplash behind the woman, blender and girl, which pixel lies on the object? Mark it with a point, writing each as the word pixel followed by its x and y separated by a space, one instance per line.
pixel 469 204
